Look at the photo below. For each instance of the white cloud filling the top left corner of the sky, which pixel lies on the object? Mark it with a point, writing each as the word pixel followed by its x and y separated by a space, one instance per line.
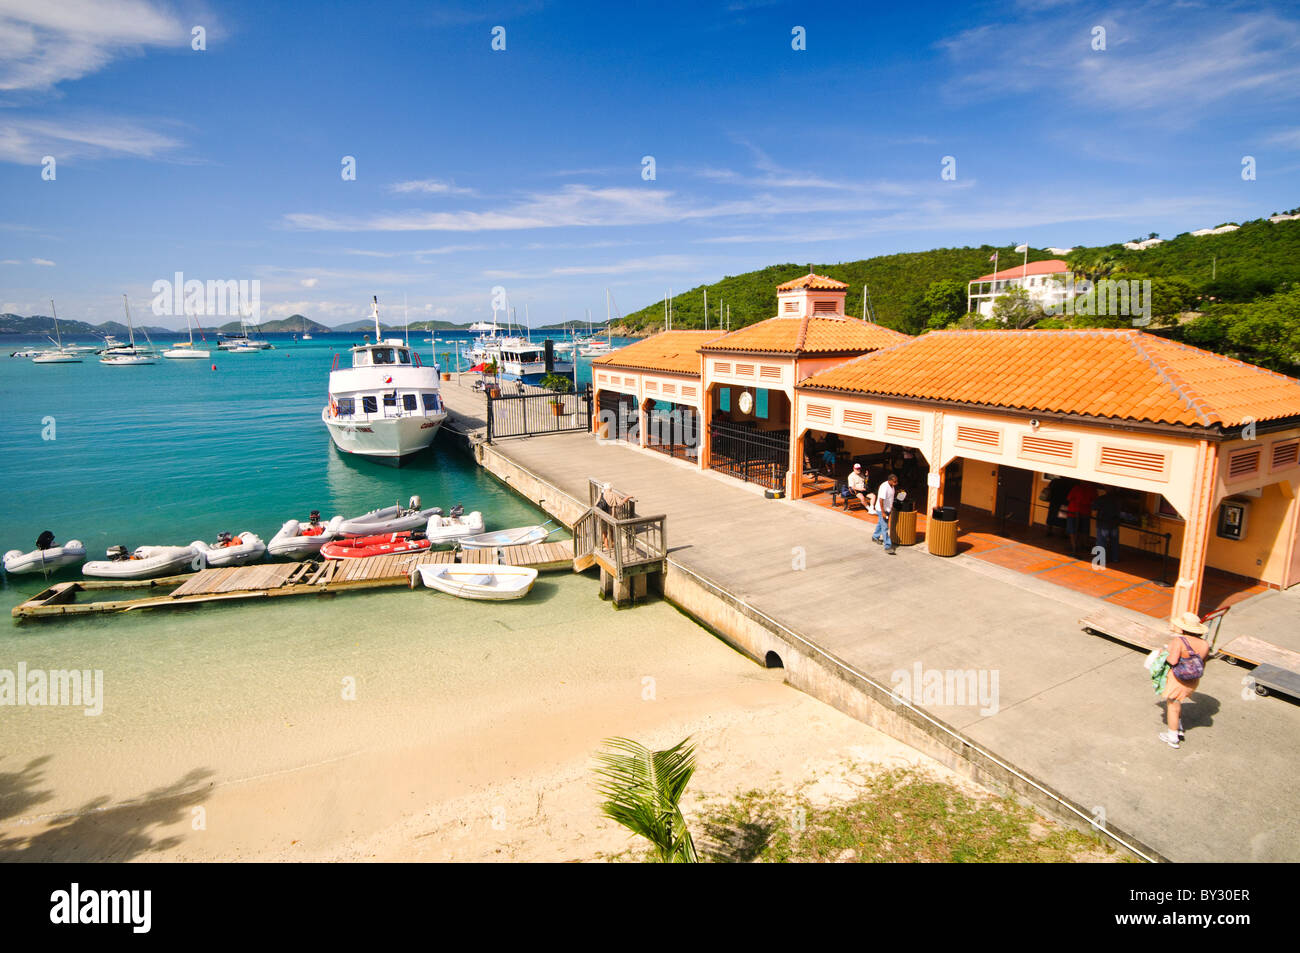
pixel 45 44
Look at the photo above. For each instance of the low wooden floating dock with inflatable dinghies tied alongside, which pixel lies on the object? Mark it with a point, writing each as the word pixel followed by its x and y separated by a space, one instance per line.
pixel 272 581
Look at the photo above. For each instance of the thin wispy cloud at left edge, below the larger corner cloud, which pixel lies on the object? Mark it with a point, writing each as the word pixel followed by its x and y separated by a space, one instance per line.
pixel 29 140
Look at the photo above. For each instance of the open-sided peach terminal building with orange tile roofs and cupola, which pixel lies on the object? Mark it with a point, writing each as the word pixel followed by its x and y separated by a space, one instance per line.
pixel 1204 450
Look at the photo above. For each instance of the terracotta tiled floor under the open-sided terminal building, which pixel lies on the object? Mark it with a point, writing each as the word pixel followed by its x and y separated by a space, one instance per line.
pixel 1134 582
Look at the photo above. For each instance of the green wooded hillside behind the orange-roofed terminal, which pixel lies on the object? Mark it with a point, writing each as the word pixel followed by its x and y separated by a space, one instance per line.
pixel 1237 293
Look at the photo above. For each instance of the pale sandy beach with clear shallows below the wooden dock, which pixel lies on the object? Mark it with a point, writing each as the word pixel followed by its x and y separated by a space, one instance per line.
pixel 471 743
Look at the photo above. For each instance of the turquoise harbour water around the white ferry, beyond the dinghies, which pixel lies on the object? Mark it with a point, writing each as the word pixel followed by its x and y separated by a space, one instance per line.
pixel 176 452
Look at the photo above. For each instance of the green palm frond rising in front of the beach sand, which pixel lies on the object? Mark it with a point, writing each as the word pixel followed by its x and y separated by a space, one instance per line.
pixel 643 791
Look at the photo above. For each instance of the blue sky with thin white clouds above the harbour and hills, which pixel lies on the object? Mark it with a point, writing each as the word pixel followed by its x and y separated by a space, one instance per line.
pixel 522 168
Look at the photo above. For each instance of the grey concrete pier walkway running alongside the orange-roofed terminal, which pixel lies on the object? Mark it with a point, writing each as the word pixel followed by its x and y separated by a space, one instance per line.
pixel 1063 720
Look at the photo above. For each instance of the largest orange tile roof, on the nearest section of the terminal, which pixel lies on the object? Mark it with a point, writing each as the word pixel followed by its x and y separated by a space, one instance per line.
pixel 1123 375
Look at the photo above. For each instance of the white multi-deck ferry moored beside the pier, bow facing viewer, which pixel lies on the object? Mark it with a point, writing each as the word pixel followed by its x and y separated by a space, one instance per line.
pixel 388 405
